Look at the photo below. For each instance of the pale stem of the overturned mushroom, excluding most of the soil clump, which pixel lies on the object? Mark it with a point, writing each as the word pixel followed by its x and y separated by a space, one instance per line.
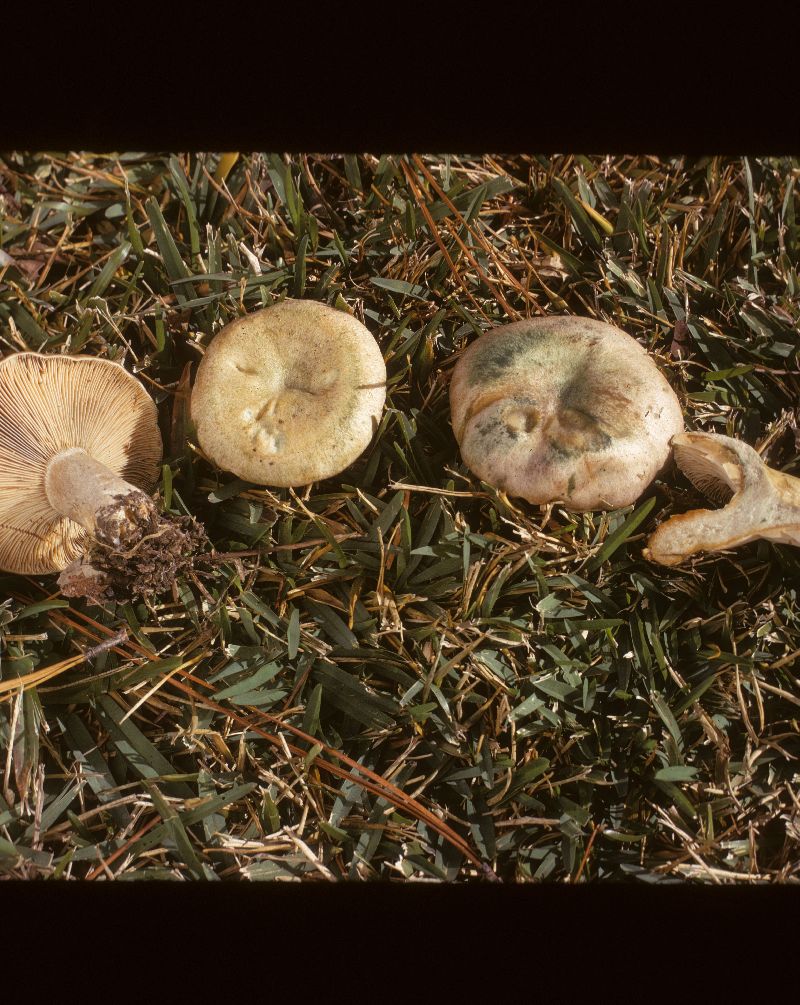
pixel 111 509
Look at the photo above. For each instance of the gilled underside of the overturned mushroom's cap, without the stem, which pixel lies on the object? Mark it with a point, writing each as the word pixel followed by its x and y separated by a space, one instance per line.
pixel 51 405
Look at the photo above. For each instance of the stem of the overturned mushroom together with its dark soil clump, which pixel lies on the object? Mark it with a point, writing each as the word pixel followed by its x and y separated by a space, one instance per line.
pixel 134 549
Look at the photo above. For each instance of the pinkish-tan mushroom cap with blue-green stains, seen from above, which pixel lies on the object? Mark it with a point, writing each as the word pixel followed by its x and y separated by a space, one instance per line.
pixel 563 410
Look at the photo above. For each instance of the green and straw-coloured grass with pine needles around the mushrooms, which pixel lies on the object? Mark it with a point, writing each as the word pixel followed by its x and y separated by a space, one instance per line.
pixel 401 673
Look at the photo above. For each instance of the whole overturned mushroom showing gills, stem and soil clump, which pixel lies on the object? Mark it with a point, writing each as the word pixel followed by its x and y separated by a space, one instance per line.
pixel 80 444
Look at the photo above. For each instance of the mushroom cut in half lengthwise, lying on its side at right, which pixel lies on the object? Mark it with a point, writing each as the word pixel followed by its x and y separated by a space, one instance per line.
pixel 763 503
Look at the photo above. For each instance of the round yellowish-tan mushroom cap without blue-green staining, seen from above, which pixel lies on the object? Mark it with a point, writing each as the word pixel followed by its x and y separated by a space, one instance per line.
pixel 290 394
